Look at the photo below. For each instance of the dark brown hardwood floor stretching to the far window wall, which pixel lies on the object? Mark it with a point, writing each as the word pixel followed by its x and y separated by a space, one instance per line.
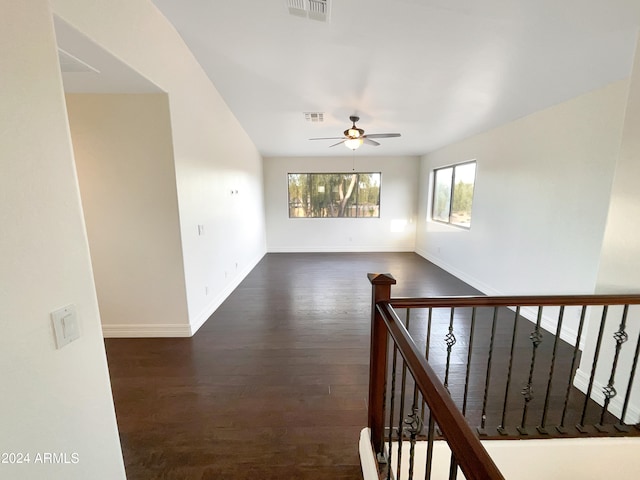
pixel 274 385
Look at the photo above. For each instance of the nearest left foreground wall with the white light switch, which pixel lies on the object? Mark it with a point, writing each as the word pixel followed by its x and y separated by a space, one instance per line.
pixel 51 401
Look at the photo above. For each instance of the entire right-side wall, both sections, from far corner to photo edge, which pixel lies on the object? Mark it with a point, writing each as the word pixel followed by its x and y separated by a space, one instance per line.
pixel 555 211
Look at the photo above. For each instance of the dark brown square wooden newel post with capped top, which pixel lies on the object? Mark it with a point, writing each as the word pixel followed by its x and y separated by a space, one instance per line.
pixel 381 291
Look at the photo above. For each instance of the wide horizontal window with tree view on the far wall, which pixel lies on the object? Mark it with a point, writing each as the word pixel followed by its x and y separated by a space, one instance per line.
pixel 332 195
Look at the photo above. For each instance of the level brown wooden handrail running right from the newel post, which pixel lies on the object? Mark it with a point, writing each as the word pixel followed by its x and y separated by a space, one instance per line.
pixel 517 300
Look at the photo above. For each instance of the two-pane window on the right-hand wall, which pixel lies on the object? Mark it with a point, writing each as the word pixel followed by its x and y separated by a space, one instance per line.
pixel 453 194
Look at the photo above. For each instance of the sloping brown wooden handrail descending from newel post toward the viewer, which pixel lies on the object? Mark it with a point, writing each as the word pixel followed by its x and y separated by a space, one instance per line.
pixel 473 459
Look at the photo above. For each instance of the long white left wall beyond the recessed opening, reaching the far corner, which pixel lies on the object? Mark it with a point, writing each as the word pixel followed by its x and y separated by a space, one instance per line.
pixel 213 155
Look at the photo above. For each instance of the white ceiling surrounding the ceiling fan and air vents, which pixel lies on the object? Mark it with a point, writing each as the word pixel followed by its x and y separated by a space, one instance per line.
pixel 436 71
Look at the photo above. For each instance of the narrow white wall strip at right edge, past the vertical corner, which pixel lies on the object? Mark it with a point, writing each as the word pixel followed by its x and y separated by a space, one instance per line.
pixel 619 270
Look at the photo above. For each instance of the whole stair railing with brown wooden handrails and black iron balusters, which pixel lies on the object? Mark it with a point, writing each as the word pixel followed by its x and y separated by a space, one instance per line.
pixel 517 375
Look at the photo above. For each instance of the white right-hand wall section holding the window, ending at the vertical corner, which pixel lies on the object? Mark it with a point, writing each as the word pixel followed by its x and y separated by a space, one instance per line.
pixel 540 201
